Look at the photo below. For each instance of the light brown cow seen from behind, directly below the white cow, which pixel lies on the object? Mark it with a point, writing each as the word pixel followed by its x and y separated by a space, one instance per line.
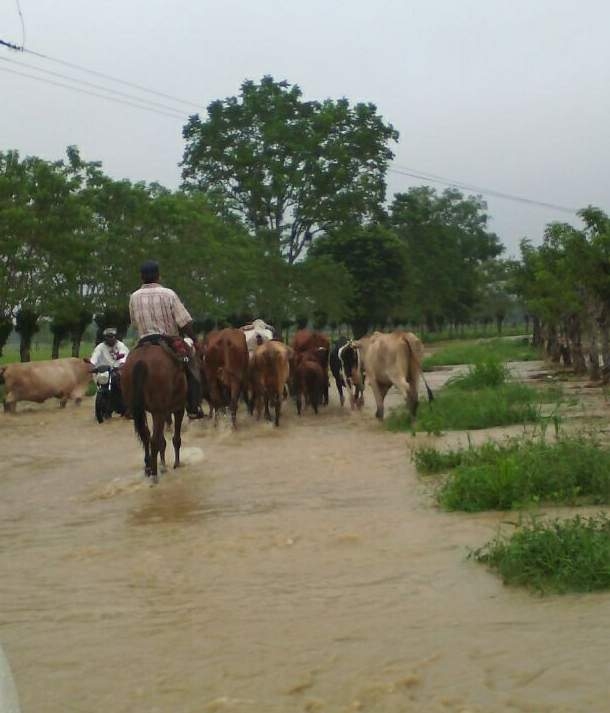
pixel 269 371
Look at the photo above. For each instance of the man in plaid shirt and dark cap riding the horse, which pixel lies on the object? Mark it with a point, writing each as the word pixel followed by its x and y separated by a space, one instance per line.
pixel 158 315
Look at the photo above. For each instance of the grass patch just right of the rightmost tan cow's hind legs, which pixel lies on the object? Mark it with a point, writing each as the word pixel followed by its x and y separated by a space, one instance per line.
pixel 456 409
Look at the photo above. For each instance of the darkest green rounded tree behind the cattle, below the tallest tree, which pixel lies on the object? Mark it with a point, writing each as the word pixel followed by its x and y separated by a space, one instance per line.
pixel 376 261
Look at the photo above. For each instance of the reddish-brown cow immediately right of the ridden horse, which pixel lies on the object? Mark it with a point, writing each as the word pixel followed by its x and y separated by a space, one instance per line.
pixel 225 367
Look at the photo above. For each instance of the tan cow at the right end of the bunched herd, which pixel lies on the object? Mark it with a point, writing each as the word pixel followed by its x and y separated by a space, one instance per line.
pixel 393 359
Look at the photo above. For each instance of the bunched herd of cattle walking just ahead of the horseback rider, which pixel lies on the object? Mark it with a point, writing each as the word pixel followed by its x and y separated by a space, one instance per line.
pixel 252 362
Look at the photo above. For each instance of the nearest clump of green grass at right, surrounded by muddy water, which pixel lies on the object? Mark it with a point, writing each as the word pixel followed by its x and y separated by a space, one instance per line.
pixel 558 556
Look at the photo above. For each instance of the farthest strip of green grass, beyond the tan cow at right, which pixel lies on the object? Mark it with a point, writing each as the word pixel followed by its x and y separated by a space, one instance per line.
pixel 471 352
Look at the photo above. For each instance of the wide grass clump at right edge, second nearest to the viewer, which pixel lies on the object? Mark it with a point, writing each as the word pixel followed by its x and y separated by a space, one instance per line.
pixel 520 473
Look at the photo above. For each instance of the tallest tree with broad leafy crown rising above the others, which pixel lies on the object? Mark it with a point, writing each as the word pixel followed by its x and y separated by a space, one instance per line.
pixel 292 167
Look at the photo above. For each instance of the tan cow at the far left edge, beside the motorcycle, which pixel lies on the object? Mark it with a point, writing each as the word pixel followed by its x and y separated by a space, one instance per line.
pixel 38 381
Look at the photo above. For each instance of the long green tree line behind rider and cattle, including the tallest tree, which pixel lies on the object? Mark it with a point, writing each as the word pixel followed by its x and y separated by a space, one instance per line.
pixel 282 214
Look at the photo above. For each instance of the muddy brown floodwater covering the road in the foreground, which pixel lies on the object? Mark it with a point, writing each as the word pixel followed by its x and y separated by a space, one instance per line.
pixel 298 569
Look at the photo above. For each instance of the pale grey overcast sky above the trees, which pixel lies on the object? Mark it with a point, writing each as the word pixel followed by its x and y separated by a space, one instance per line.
pixel 513 96
